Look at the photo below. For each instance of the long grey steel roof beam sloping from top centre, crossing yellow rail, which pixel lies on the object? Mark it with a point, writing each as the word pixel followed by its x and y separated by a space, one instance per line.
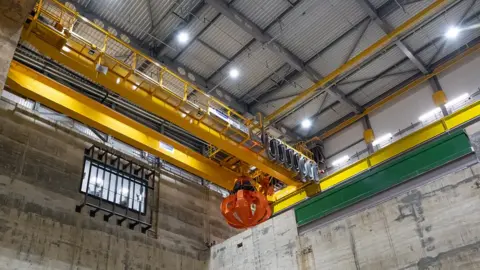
pixel 250 27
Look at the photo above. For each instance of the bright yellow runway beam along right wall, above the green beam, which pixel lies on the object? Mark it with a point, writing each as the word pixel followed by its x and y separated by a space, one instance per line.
pixel 435 129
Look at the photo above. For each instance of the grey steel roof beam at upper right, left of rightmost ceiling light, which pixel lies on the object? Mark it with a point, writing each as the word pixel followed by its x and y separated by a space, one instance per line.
pixel 370 10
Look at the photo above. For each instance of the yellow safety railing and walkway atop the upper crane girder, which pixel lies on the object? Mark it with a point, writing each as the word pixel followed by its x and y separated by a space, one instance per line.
pixel 129 64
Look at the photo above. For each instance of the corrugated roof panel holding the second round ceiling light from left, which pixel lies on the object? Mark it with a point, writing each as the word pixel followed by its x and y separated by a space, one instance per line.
pixel 254 64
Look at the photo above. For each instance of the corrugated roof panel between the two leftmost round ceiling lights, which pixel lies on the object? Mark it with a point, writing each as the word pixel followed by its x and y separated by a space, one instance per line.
pixel 201 59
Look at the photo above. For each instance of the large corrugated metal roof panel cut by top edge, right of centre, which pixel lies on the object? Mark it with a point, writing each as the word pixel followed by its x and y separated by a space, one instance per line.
pixel 307 29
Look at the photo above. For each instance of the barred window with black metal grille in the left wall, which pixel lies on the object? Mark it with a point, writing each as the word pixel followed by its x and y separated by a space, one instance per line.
pixel 117 187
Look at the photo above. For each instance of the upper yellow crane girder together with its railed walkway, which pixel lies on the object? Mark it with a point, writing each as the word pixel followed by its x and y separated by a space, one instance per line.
pixel 115 65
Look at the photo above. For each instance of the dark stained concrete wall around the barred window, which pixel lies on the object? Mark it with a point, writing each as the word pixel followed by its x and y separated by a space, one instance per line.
pixel 40 173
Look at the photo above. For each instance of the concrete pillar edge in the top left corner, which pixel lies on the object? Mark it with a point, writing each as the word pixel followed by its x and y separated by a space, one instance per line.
pixel 13 14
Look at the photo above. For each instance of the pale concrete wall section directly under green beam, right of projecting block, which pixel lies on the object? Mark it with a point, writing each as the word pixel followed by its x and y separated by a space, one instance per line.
pixel 435 226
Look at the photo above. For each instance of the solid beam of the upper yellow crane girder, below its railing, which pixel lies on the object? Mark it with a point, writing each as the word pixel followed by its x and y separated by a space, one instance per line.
pixel 46 41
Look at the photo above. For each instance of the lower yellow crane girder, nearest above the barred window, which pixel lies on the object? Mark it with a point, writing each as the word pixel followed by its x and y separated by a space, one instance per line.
pixel 69 102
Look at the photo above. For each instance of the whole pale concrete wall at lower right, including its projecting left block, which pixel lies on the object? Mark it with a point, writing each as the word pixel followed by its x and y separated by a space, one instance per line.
pixel 433 226
